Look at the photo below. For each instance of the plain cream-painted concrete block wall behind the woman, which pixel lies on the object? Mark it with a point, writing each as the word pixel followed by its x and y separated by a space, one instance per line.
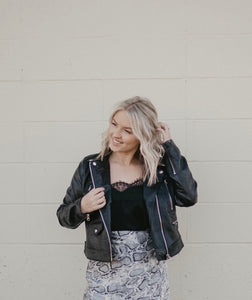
pixel 63 64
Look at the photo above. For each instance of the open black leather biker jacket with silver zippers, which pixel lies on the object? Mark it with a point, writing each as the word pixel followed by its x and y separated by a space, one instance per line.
pixel 175 186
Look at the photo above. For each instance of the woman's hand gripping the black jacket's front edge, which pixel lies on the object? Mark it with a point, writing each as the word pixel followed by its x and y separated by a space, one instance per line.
pixel 93 200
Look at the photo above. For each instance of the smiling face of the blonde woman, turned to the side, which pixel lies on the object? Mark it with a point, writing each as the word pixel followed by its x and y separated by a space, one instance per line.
pixel 121 137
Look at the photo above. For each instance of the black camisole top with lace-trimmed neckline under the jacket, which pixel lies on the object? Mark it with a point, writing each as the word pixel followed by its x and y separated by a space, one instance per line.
pixel 128 210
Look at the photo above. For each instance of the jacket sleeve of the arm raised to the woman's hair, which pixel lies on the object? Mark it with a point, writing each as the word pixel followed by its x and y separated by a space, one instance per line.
pixel 182 182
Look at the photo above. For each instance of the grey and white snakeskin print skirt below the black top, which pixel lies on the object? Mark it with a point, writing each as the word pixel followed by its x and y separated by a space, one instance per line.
pixel 134 273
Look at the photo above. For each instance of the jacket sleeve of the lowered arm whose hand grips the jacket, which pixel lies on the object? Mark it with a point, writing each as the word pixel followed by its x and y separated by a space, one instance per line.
pixel 69 213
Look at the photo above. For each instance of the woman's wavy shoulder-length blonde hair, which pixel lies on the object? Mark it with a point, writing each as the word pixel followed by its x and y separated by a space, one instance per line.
pixel 144 121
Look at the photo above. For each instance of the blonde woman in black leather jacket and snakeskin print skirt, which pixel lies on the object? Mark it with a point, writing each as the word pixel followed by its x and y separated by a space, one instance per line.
pixel 127 196
